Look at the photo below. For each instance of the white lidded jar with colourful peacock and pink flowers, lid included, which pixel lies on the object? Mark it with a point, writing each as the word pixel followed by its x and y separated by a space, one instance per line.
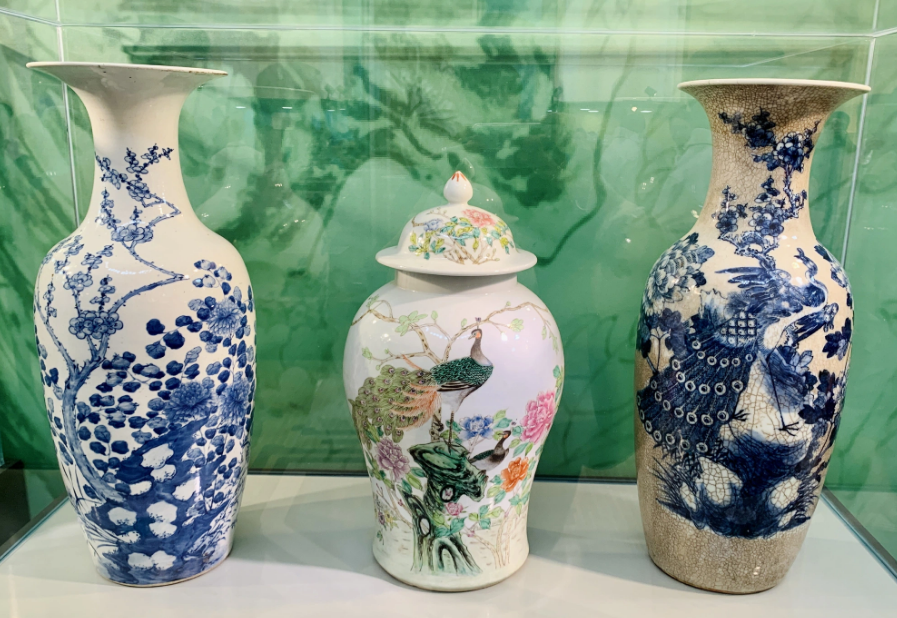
pixel 453 372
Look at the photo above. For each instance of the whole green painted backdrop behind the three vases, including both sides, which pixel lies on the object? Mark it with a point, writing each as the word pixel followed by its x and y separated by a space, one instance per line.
pixel 340 120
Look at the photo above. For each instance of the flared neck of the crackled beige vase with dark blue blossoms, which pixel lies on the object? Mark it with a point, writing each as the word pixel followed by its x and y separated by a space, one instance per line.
pixel 764 142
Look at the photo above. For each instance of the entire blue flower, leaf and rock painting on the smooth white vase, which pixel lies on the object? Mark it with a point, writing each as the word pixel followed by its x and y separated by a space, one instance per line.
pixel 152 439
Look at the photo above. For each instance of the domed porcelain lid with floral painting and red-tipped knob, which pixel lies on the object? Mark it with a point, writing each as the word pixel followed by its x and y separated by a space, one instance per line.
pixel 457 239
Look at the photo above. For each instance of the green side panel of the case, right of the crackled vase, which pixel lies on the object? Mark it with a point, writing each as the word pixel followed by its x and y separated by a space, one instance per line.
pixel 863 467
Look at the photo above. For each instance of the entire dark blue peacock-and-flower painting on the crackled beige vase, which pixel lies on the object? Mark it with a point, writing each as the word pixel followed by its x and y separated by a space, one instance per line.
pixel 744 350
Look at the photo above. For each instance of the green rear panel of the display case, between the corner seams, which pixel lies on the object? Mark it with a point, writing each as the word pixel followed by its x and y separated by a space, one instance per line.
pixel 315 151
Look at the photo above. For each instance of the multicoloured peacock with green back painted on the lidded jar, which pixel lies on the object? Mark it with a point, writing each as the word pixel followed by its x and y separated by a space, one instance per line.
pixel 400 398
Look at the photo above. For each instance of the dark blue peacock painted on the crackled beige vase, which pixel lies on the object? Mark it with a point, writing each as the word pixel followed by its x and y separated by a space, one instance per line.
pixel 684 406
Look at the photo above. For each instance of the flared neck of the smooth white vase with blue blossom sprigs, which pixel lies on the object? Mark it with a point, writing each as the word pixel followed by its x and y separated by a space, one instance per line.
pixel 134 113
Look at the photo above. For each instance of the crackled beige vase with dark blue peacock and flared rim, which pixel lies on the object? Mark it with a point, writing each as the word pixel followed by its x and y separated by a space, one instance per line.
pixel 743 346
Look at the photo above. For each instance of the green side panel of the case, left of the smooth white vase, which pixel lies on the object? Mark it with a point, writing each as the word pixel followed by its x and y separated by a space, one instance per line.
pixel 35 212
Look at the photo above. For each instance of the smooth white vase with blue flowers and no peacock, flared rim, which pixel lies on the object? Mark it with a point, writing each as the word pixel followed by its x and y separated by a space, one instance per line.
pixel 145 325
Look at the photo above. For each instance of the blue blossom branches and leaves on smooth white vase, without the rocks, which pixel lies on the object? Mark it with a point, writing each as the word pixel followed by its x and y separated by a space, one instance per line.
pixel 214 408
